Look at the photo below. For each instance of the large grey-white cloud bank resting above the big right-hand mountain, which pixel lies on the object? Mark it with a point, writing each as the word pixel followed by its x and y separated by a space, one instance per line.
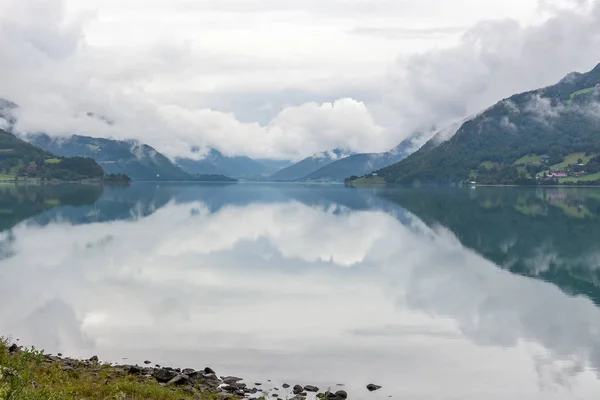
pixel 492 61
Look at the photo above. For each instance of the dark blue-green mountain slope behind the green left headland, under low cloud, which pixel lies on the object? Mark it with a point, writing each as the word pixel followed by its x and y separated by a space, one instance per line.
pixel 139 161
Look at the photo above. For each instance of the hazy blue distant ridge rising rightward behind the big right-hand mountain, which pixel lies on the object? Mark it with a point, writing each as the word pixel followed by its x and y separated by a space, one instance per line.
pixel 361 164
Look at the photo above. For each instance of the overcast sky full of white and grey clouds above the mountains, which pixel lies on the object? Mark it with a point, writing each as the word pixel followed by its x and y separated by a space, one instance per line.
pixel 280 79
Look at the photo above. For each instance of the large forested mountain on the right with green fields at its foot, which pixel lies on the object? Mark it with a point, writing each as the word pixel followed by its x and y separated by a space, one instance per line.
pixel 524 139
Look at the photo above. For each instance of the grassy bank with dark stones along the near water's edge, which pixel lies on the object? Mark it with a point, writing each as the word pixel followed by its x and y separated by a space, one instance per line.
pixel 37 375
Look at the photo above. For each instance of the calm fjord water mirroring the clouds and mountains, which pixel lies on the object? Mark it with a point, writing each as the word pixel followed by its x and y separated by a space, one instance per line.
pixel 433 294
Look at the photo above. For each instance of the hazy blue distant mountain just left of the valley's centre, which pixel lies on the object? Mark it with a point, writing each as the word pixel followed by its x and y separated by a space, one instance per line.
pixel 215 162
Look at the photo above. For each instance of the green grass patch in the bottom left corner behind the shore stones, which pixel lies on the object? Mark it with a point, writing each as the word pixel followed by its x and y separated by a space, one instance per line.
pixel 28 375
